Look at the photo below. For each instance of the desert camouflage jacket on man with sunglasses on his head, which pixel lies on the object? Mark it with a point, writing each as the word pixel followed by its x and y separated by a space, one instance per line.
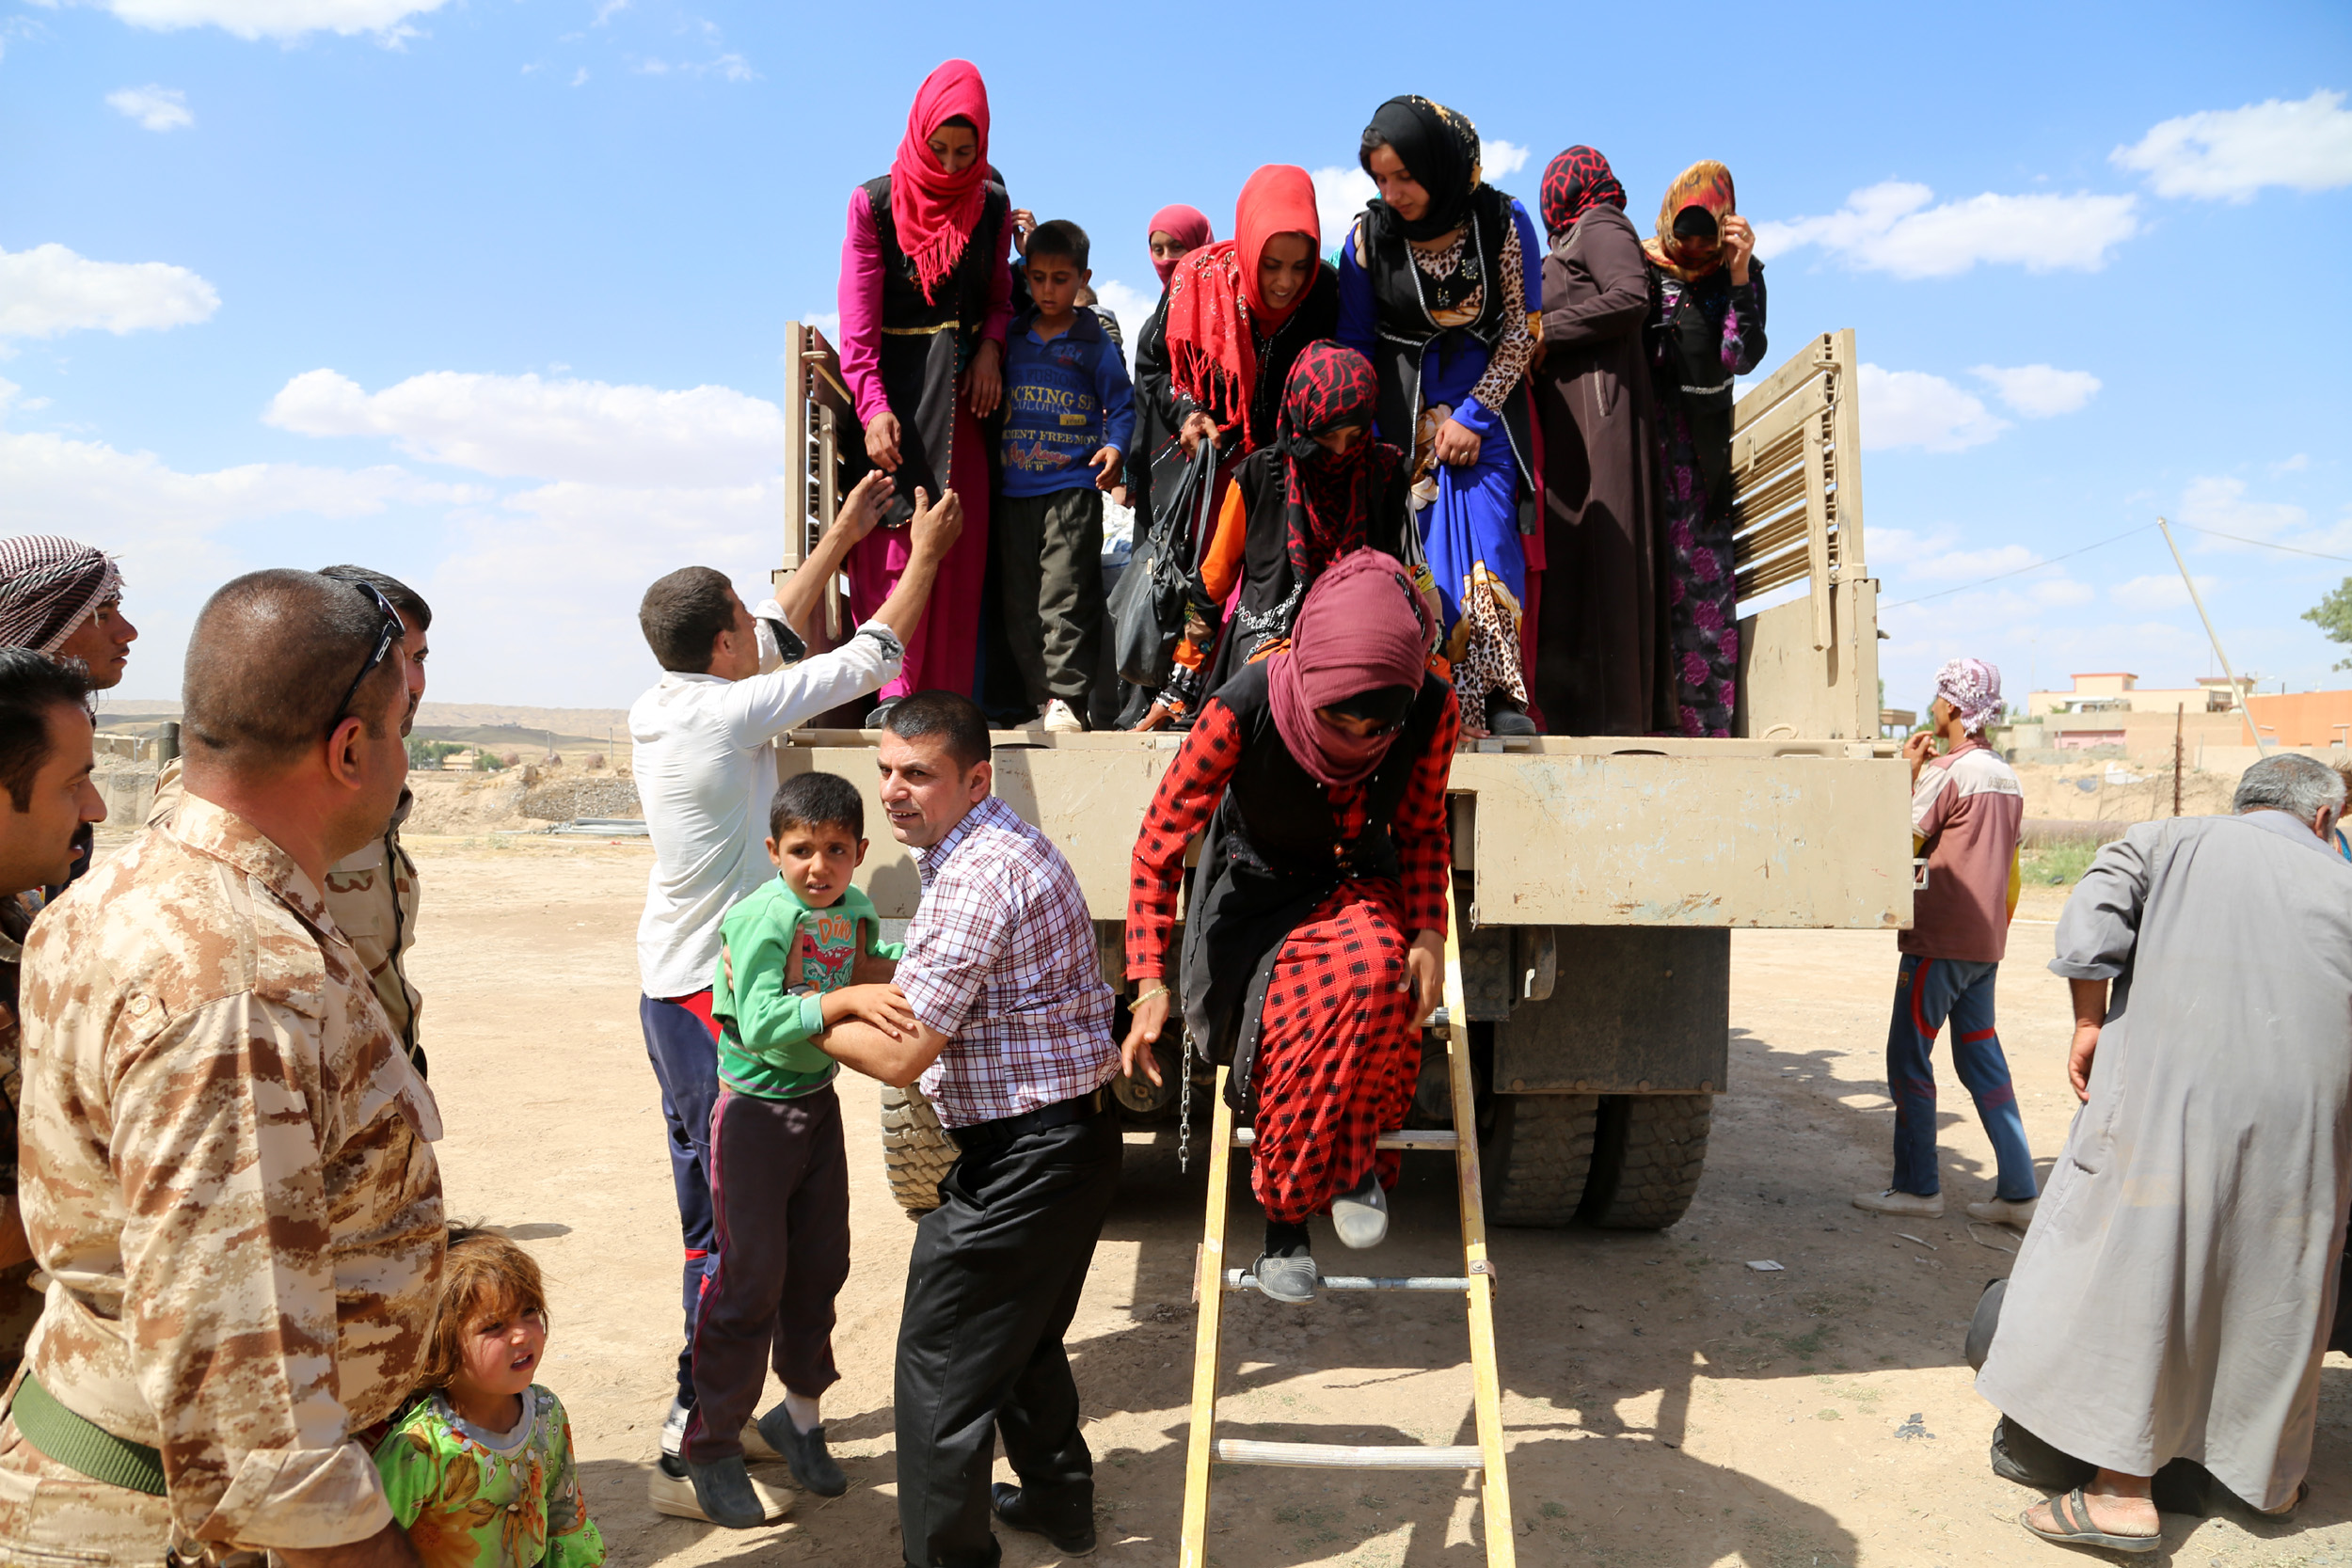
pixel 227 1174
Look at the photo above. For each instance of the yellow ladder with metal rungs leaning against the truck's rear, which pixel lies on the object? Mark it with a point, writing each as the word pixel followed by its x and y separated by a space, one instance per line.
pixel 1215 1280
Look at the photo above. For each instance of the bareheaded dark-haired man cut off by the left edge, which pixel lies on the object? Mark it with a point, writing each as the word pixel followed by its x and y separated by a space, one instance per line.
pixel 46 753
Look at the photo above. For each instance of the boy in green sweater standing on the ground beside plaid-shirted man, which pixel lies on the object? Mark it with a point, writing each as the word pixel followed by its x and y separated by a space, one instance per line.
pixel 791 965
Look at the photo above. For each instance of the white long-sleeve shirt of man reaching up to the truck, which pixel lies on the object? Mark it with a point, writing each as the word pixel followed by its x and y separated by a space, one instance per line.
pixel 704 779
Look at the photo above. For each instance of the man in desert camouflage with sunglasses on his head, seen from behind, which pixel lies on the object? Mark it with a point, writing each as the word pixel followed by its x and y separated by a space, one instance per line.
pixel 227 1162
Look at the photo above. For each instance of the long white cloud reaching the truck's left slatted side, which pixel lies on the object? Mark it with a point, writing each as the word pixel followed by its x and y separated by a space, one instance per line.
pixel 584 431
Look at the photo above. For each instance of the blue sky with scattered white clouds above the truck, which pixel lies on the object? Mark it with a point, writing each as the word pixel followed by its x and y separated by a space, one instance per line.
pixel 493 293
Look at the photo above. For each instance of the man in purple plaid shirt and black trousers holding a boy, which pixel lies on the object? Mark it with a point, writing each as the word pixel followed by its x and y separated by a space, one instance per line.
pixel 1013 1045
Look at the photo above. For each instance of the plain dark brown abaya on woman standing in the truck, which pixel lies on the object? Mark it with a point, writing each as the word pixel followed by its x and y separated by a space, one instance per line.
pixel 1601 634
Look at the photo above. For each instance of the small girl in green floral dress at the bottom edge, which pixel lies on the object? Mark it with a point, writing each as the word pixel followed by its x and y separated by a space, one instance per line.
pixel 479 1463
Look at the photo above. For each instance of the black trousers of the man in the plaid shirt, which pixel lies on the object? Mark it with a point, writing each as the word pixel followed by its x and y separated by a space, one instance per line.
pixel 989 1292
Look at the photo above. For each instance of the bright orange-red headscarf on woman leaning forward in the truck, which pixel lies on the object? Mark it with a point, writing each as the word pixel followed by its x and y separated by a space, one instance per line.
pixel 1215 297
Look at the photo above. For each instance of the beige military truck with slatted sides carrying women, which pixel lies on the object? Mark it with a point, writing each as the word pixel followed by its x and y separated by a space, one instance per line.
pixel 1601 876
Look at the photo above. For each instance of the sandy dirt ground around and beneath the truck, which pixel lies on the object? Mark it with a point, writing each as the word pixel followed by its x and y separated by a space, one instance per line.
pixel 1666 1405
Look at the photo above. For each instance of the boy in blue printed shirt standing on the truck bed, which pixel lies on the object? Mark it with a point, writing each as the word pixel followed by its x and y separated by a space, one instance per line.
pixel 1069 417
